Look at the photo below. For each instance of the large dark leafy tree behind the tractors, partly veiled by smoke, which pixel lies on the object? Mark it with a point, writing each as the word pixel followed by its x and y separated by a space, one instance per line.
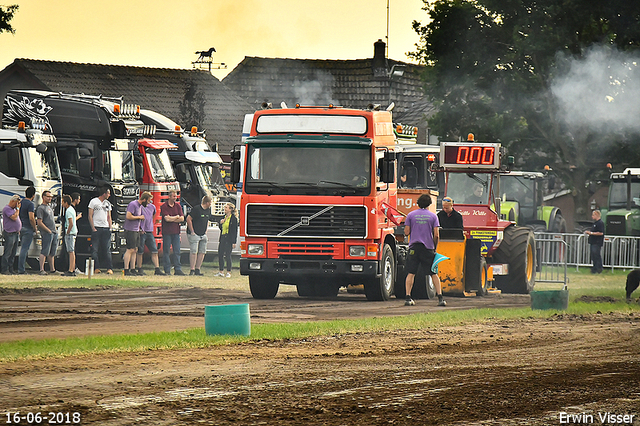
pixel 504 69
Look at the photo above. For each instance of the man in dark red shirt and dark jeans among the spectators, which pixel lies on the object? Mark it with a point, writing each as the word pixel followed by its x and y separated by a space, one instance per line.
pixel 172 217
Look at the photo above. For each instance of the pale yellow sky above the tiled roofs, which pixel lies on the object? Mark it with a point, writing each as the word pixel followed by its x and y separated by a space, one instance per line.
pixel 166 34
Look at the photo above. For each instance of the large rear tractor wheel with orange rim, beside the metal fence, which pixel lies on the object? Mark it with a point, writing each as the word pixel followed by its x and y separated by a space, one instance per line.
pixel 518 249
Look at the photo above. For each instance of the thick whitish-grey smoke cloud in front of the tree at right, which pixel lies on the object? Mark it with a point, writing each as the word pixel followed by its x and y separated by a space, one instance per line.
pixel 600 91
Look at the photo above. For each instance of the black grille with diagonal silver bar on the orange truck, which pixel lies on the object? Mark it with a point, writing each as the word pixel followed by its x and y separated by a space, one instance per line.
pixel 306 221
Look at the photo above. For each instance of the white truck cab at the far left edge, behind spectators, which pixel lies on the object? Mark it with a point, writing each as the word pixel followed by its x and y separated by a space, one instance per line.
pixel 28 157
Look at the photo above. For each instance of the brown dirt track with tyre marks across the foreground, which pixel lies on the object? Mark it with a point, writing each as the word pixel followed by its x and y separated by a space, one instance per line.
pixel 524 372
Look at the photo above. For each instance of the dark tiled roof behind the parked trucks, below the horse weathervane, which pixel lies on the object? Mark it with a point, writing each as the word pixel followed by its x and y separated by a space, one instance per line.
pixel 158 89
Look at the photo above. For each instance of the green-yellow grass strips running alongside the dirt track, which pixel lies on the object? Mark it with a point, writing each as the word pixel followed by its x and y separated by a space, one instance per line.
pixel 581 283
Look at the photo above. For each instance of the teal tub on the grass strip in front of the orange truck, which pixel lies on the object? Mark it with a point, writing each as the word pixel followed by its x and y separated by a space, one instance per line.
pixel 227 319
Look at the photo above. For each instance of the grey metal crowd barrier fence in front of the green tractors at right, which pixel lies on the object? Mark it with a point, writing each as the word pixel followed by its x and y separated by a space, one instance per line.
pixel 618 252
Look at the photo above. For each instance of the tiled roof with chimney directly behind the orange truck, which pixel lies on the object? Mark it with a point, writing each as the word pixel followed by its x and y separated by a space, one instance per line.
pixel 348 83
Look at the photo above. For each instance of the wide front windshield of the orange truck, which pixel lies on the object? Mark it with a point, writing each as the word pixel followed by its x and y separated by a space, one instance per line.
pixel 306 169
